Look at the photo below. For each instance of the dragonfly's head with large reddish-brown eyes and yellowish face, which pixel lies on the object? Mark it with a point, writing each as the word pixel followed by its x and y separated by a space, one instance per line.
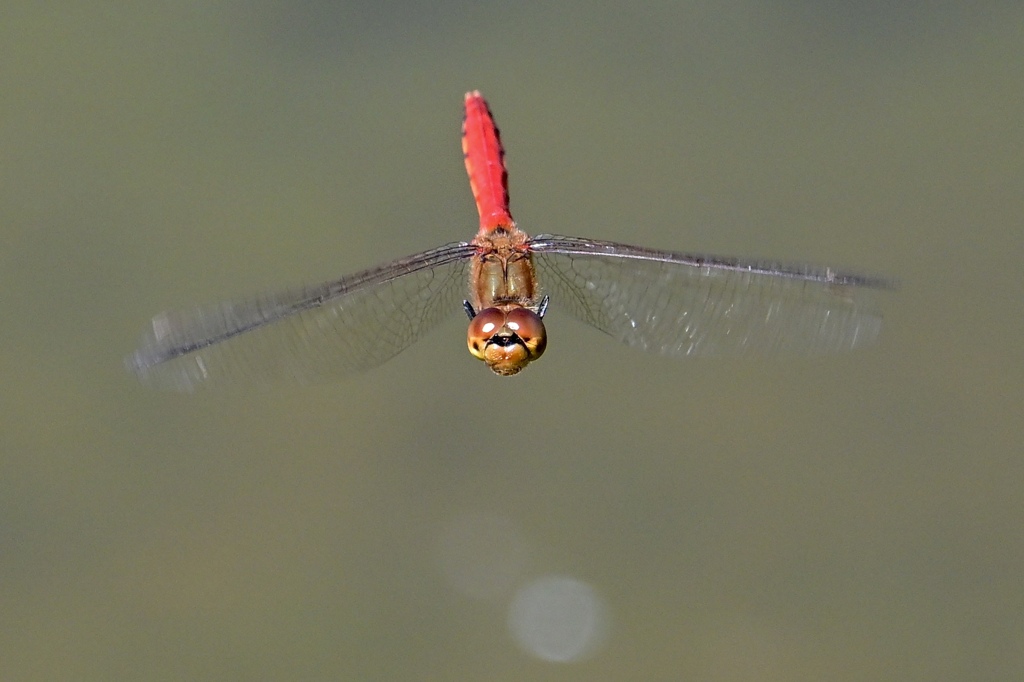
pixel 507 340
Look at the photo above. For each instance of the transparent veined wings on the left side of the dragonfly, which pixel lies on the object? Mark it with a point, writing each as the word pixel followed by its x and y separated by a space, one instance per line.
pixel 307 334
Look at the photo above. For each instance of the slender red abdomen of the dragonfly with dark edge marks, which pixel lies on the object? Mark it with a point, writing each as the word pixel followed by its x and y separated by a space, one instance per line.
pixel 486 164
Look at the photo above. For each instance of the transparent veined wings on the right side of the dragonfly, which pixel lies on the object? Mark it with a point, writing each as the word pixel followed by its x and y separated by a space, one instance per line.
pixel 678 305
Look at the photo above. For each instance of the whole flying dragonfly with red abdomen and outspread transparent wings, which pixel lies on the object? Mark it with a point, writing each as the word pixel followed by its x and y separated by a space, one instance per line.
pixel 675 305
